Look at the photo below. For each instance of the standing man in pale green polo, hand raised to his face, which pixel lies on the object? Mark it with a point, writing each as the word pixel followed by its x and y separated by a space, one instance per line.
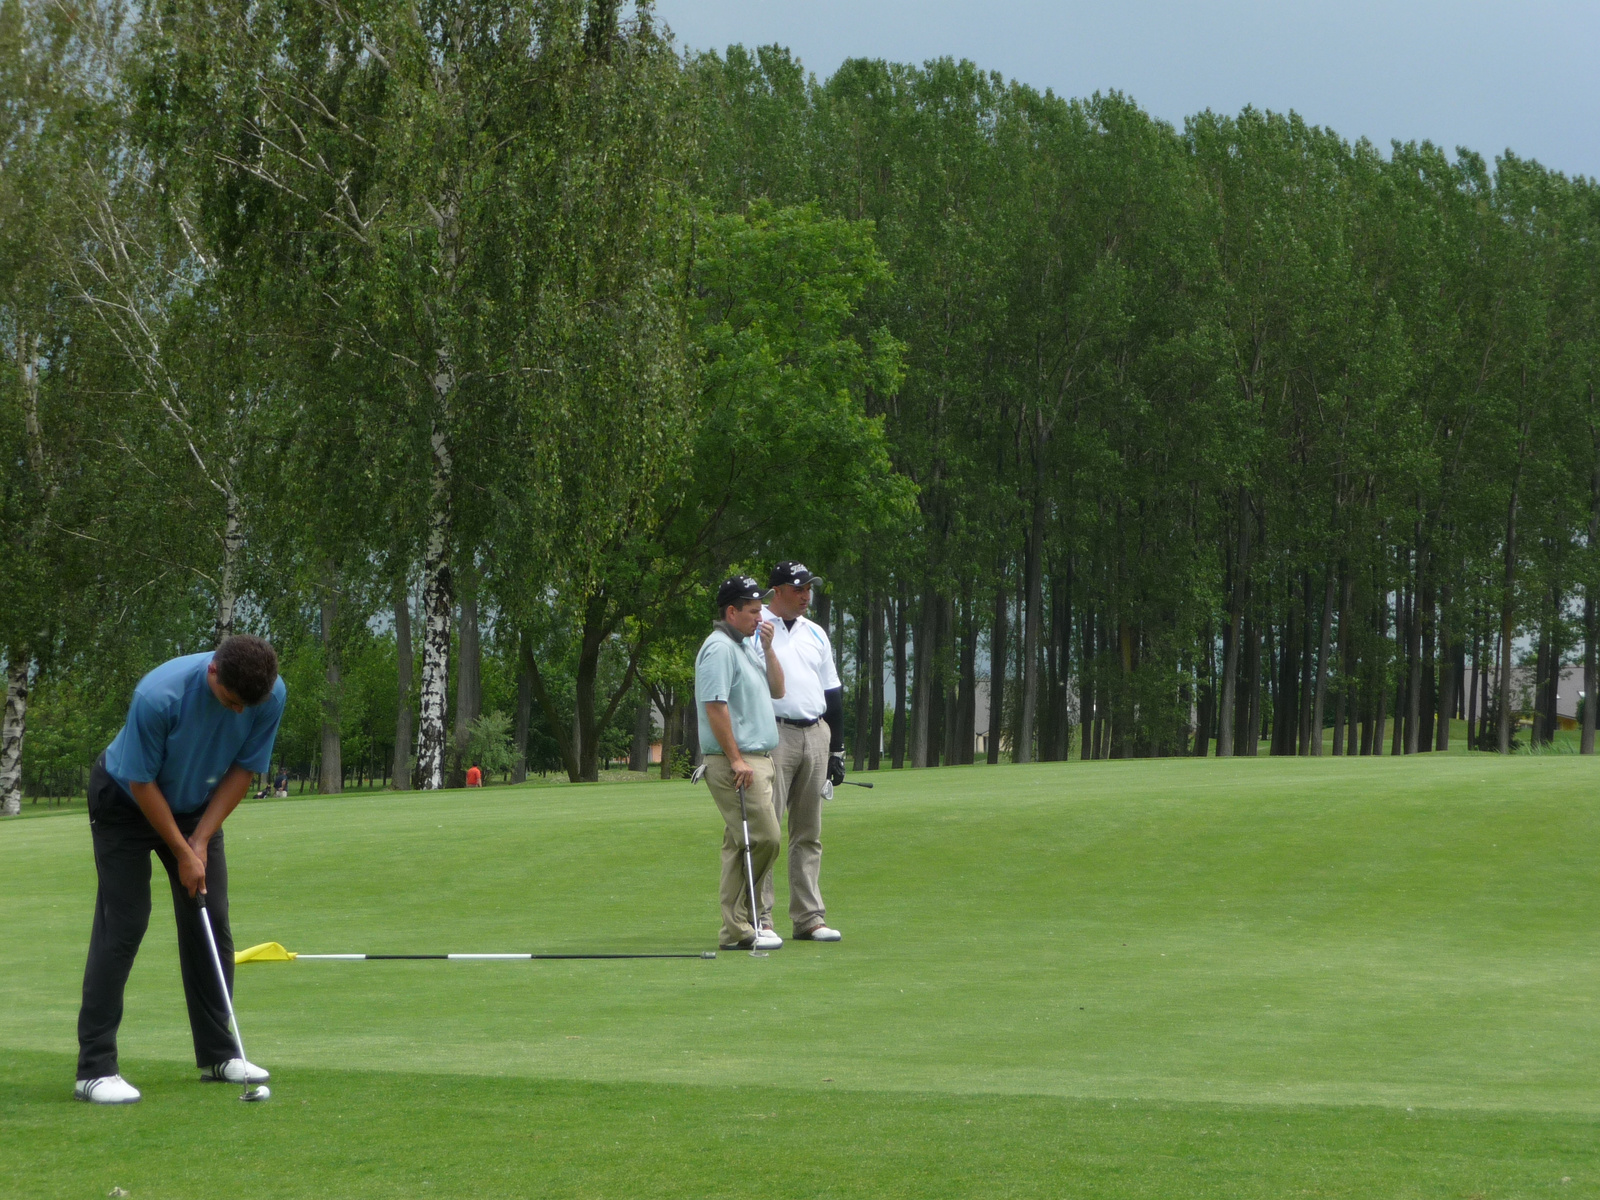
pixel 735 694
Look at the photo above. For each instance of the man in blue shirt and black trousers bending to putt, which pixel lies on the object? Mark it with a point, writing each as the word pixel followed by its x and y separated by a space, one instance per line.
pixel 198 730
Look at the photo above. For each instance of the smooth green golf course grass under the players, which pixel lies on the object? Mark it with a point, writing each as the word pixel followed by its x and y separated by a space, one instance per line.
pixel 1223 978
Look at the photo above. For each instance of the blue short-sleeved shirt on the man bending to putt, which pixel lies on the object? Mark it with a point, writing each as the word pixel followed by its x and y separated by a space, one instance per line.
pixel 185 740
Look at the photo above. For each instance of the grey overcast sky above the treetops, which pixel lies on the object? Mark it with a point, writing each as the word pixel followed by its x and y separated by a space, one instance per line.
pixel 1484 76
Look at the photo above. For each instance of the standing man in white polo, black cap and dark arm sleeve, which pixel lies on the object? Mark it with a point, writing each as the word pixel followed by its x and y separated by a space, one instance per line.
pixel 810 746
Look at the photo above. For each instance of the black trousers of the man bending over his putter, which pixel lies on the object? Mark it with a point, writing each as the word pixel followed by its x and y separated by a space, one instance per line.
pixel 122 913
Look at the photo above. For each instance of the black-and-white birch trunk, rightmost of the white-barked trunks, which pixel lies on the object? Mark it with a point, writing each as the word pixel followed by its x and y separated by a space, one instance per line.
pixel 438 602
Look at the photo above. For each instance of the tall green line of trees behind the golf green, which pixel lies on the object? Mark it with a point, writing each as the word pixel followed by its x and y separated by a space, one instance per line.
pixel 462 348
